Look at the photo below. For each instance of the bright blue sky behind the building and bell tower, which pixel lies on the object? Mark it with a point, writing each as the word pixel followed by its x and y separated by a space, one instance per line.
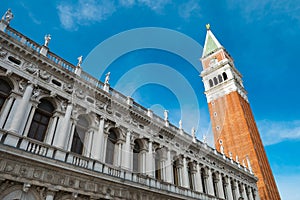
pixel 261 35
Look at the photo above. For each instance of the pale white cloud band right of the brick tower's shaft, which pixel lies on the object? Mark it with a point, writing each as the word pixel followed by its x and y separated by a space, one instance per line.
pixel 275 132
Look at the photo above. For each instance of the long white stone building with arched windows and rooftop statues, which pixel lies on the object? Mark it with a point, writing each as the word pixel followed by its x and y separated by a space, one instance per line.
pixel 66 135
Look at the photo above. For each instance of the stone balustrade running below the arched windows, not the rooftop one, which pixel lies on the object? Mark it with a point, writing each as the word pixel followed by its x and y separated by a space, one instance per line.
pixel 44 150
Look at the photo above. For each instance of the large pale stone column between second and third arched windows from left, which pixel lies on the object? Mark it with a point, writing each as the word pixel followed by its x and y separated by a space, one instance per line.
pixel 61 137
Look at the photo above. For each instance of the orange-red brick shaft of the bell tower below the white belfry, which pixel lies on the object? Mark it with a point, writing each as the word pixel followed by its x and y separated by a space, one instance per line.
pixel 234 124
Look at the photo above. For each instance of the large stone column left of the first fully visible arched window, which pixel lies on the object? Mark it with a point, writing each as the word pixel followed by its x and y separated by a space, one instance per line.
pixel 20 110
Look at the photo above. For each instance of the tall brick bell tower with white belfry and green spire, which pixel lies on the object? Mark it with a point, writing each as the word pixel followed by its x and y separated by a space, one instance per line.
pixel 235 131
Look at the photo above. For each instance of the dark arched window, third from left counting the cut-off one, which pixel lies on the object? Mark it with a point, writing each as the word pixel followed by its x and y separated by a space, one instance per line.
pixel 79 135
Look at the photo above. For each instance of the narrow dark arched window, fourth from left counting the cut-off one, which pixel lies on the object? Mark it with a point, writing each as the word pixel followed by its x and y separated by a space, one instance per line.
pixel 110 147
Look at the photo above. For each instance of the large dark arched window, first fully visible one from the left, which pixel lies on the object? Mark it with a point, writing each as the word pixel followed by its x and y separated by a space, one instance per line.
pixel 40 120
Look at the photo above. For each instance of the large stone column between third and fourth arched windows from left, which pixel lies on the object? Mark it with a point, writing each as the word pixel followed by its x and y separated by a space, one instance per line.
pixel 98 142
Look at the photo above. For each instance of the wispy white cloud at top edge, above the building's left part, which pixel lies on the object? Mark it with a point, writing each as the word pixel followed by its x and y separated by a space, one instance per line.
pixel 84 12
